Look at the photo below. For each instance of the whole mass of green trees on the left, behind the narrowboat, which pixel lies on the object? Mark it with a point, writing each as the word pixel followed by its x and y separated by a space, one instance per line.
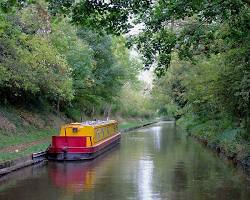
pixel 47 60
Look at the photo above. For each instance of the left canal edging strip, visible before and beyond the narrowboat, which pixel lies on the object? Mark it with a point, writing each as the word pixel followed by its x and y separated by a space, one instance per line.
pixel 13 165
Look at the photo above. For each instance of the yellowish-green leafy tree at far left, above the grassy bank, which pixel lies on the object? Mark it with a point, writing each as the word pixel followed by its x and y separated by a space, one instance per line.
pixel 30 65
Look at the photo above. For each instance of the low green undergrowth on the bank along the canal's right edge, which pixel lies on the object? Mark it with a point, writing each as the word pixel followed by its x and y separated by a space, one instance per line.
pixel 220 135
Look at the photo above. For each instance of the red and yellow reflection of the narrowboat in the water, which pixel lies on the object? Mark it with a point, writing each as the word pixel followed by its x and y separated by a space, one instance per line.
pixel 79 176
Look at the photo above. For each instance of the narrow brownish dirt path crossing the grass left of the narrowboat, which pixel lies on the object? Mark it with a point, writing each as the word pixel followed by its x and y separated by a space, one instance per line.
pixel 20 147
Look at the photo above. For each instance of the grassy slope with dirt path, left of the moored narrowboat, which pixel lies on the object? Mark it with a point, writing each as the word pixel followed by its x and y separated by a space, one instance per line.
pixel 23 131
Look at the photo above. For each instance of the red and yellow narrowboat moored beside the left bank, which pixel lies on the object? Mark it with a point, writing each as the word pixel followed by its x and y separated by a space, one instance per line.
pixel 84 141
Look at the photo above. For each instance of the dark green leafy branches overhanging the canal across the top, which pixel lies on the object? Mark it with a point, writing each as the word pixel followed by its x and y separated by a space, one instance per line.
pixel 188 27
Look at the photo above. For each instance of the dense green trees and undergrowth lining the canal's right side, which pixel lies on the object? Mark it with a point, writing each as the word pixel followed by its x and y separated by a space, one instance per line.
pixel 207 84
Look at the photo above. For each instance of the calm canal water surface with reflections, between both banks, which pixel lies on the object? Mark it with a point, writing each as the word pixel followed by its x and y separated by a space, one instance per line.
pixel 158 162
